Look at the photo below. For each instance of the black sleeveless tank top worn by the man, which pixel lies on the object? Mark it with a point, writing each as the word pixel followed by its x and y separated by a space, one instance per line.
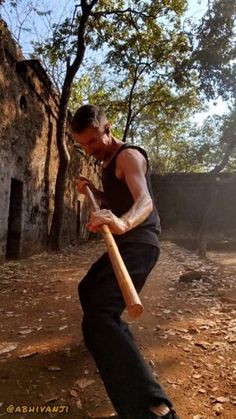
pixel 120 200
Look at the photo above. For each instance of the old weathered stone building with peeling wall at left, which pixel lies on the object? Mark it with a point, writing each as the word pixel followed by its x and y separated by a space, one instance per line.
pixel 29 157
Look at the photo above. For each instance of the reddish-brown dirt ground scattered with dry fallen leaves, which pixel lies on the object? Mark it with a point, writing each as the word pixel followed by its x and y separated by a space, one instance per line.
pixel 187 335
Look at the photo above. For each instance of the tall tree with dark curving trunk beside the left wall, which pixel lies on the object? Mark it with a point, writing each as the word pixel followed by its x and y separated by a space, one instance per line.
pixel 64 44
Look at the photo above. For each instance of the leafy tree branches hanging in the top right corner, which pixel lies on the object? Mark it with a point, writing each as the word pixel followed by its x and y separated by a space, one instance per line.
pixel 213 51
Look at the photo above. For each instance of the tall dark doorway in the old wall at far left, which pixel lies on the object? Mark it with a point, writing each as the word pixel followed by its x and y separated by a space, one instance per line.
pixel 14 219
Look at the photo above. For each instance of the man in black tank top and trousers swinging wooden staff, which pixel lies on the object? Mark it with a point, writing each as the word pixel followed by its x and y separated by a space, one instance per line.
pixel 134 222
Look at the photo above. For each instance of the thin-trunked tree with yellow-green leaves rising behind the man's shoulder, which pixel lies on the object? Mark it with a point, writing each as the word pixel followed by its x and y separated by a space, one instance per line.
pixel 142 56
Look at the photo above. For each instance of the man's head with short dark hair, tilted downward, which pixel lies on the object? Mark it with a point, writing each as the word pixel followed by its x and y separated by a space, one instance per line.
pixel 90 128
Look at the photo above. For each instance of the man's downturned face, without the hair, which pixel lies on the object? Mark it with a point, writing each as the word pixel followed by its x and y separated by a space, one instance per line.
pixel 94 141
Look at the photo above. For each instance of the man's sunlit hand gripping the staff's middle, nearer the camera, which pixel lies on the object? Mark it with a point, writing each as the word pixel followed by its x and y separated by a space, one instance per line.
pixel 101 217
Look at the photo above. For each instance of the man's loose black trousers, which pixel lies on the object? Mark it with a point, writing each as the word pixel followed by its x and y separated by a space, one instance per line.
pixel 127 378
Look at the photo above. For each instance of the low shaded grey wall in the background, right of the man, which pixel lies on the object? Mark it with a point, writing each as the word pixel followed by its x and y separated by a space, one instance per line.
pixel 182 200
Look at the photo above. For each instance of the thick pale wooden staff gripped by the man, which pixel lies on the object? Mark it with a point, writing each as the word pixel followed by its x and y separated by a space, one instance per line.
pixel 131 298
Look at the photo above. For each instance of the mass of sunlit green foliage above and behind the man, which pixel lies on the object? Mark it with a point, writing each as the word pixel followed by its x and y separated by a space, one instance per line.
pixel 153 74
